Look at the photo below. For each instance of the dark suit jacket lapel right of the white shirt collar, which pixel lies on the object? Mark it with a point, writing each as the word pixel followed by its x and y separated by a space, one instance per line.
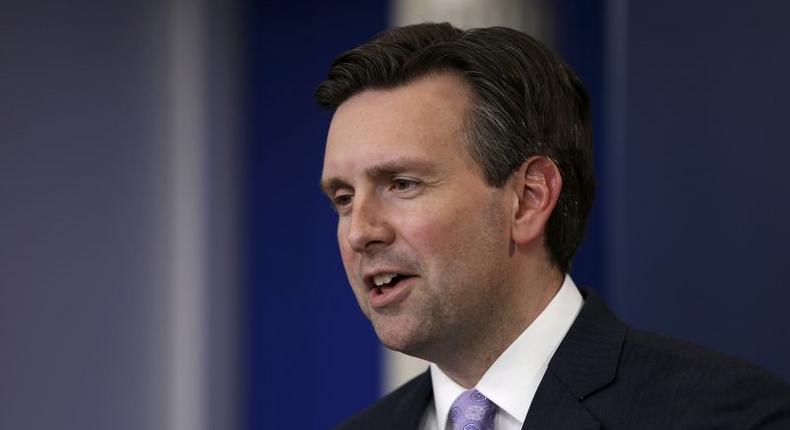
pixel 585 362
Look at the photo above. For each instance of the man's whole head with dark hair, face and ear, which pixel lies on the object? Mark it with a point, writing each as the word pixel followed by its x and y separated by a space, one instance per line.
pixel 449 159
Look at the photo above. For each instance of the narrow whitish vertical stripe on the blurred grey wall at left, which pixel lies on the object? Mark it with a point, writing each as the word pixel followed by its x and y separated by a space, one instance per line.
pixel 187 218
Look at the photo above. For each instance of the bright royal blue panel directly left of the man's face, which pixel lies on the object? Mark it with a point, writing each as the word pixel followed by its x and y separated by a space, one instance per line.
pixel 313 355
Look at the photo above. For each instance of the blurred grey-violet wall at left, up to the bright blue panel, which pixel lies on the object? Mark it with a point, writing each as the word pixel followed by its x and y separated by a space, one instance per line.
pixel 88 215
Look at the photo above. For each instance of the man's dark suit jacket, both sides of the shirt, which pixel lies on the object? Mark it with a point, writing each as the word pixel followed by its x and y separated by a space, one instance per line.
pixel 605 375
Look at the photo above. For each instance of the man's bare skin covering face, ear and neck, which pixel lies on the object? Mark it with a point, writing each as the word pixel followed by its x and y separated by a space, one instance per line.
pixel 411 200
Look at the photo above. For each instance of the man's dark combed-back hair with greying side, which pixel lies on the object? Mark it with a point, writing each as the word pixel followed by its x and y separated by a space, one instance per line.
pixel 525 101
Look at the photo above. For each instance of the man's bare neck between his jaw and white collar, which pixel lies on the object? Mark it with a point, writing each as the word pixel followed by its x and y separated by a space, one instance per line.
pixel 518 307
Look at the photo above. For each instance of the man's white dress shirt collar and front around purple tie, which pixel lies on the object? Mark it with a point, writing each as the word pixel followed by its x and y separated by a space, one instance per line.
pixel 513 379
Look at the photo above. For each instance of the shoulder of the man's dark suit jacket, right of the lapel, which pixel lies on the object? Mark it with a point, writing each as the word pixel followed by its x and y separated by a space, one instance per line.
pixel 664 377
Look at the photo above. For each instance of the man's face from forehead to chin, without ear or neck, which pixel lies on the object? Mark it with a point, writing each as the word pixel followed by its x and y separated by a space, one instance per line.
pixel 424 239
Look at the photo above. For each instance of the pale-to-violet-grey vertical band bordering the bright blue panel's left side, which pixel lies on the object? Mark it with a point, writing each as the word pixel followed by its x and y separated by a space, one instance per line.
pixel 203 138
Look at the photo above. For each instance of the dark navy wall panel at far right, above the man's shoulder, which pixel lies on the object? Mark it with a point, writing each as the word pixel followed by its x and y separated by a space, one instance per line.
pixel 700 97
